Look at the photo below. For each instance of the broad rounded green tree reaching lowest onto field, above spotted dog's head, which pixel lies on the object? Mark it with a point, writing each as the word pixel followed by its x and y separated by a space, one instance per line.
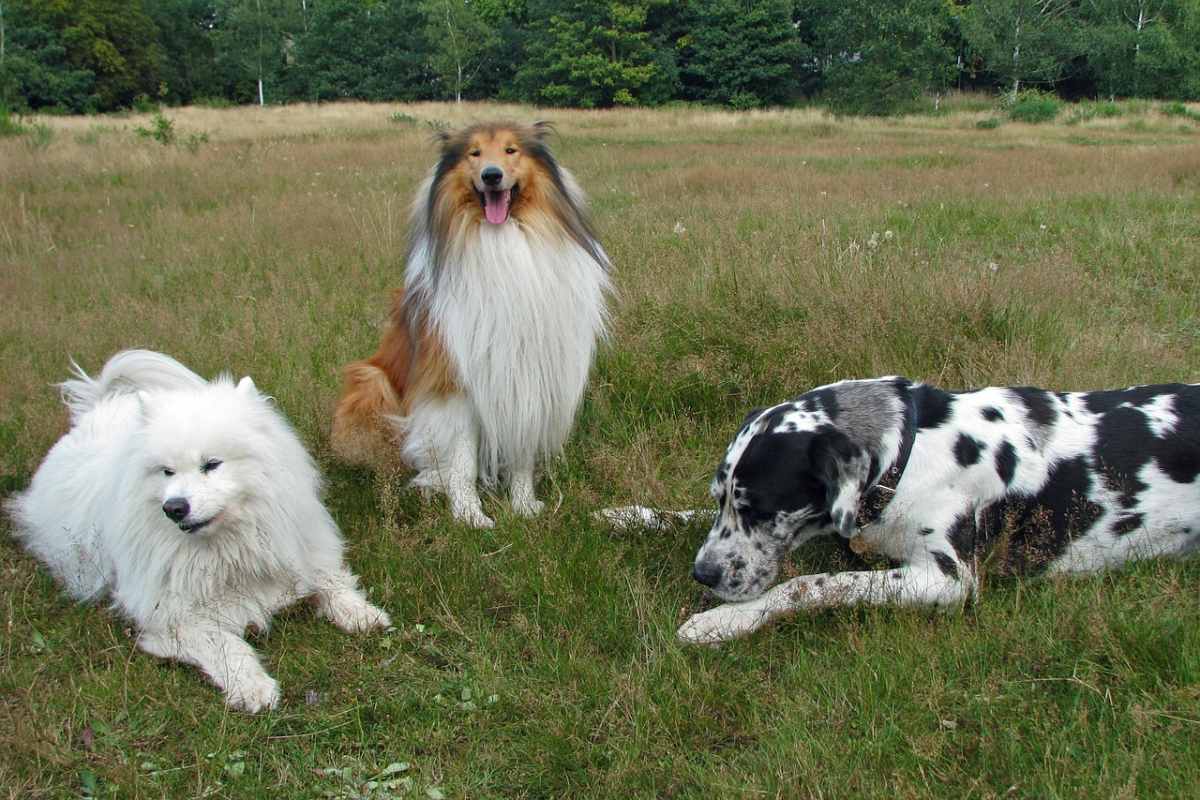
pixel 879 58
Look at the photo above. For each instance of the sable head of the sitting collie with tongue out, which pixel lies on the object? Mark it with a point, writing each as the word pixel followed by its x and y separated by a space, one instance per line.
pixel 501 175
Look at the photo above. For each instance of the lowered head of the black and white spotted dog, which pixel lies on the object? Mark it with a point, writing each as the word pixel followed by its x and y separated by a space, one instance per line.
pixel 795 472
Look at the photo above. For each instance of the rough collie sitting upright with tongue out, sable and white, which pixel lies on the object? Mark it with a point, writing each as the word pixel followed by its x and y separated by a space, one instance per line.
pixel 488 348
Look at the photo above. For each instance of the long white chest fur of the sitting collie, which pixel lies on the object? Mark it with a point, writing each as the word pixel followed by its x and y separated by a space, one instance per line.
pixel 521 316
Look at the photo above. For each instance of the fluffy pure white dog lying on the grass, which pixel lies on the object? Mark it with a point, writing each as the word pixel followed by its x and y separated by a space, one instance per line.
pixel 195 507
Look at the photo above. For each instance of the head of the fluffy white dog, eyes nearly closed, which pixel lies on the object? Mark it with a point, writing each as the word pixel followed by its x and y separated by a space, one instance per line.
pixel 215 458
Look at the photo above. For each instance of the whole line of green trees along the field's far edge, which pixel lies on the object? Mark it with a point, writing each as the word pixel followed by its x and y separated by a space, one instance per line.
pixel 866 57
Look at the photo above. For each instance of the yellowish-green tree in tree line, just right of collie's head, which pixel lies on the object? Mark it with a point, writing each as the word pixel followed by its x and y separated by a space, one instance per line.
pixel 592 55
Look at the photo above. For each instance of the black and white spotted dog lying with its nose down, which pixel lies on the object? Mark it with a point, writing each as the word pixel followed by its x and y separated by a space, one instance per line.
pixel 946 484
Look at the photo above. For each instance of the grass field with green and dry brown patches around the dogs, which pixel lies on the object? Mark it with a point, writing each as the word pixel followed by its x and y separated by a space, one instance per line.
pixel 758 256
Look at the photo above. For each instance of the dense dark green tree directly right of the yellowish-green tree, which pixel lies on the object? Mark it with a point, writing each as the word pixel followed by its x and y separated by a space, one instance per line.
pixel 741 52
